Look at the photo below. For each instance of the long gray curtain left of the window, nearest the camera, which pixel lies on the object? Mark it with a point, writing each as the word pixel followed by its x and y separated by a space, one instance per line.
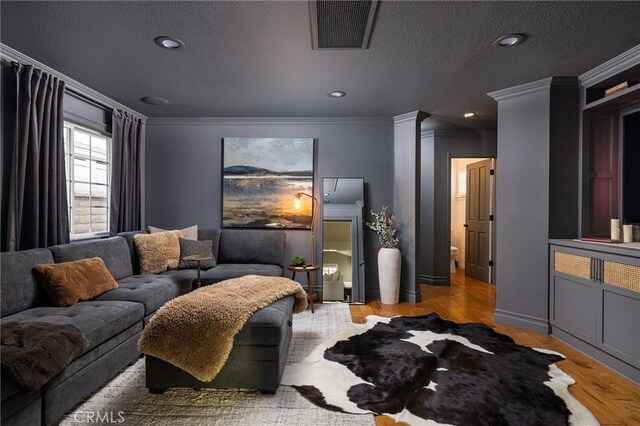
pixel 37 214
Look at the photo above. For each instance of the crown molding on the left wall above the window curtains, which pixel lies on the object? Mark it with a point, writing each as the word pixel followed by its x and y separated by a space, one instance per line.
pixel 9 54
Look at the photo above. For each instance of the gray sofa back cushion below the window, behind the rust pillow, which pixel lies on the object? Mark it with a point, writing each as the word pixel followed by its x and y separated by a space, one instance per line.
pixel 113 251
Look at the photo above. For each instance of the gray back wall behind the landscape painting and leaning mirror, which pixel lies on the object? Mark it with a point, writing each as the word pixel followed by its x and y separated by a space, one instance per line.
pixel 184 170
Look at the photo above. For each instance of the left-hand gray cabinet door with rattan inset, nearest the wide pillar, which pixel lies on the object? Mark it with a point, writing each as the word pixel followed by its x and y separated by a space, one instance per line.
pixel 573 293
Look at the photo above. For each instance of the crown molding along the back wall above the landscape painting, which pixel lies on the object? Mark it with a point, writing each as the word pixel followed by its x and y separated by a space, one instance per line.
pixel 282 121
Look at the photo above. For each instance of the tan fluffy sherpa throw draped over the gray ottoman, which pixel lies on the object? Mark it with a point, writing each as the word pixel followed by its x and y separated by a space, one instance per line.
pixel 195 332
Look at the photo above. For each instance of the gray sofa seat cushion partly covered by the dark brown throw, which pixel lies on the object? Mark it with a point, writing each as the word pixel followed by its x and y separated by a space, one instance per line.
pixel 98 321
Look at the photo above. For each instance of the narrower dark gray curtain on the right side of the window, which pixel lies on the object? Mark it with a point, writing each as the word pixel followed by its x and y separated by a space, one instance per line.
pixel 127 138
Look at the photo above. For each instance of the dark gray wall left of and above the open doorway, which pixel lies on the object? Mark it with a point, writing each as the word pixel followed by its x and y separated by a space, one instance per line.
pixel 437 149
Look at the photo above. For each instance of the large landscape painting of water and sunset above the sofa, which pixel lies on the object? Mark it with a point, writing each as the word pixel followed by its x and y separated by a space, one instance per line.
pixel 261 177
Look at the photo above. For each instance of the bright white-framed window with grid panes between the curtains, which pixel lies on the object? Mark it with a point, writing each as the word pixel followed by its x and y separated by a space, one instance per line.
pixel 87 164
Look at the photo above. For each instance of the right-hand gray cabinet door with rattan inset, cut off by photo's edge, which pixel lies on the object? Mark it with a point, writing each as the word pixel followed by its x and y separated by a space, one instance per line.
pixel 619 321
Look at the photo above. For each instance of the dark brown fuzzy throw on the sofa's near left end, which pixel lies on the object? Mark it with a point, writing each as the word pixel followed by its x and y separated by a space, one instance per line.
pixel 33 352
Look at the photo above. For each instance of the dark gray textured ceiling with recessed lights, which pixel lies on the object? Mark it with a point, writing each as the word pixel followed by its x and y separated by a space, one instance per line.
pixel 254 59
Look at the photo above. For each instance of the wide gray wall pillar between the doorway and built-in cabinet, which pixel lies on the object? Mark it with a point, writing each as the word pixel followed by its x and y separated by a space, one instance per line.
pixel 534 139
